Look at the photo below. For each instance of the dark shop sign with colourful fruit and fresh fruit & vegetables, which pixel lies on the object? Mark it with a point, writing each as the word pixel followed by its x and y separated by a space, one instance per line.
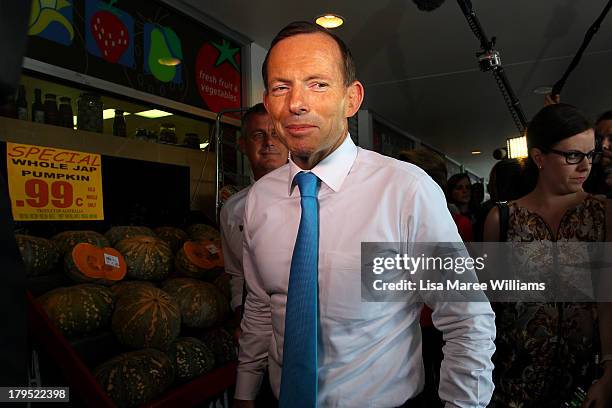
pixel 142 44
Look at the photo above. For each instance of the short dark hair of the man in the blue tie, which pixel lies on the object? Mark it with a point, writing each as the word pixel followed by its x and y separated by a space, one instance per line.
pixel 306 27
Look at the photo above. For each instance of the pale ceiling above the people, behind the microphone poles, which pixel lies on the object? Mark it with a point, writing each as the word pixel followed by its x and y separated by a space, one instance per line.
pixel 420 72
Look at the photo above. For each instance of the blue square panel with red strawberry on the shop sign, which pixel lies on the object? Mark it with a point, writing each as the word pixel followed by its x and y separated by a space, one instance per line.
pixel 110 34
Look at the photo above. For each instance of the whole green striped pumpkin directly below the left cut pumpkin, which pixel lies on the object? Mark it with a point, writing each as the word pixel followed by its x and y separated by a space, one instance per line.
pixel 79 309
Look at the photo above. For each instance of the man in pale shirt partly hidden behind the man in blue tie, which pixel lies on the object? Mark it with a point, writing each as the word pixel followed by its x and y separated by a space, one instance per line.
pixel 265 153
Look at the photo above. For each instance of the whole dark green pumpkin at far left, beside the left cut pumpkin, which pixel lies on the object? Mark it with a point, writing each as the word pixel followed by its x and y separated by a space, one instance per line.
pixel 39 255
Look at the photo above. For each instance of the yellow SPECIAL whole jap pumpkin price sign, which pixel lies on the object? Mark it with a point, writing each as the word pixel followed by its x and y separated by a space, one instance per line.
pixel 54 184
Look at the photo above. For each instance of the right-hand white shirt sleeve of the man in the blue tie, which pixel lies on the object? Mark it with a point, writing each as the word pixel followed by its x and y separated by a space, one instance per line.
pixel 468 327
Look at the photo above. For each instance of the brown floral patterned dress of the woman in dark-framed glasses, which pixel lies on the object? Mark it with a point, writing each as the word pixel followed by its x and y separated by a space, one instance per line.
pixel 546 350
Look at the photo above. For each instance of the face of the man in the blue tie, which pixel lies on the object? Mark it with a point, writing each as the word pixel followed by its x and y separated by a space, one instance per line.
pixel 307 98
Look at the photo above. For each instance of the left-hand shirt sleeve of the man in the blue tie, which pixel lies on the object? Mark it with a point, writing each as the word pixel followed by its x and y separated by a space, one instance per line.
pixel 256 327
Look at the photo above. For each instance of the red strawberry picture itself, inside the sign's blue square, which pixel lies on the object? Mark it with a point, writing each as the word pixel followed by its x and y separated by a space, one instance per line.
pixel 110 33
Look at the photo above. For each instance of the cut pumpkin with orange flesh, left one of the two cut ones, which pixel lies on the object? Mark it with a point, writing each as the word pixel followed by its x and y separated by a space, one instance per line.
pixel 87 263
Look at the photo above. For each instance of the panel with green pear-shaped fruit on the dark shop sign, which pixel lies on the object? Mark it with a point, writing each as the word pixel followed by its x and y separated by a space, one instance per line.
pixel 163 53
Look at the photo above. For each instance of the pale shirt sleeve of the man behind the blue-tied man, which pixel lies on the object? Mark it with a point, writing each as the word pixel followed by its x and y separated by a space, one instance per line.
pixel 231 259
